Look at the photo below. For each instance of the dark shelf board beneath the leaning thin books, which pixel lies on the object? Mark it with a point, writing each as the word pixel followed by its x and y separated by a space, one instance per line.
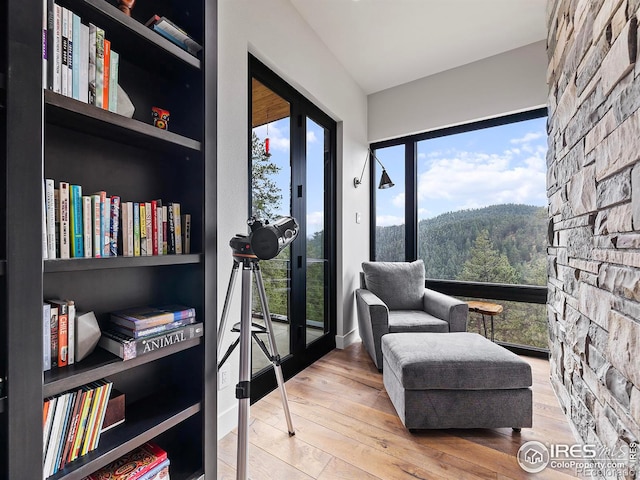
pixel 144 420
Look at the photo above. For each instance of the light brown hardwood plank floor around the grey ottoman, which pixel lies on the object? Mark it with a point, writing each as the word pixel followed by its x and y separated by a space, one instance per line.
pixel 347 428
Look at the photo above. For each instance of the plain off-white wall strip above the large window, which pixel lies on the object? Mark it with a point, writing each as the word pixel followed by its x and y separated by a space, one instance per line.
pixel 506 83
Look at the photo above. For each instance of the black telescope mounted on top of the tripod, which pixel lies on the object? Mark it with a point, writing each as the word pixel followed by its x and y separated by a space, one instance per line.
pixel 266 240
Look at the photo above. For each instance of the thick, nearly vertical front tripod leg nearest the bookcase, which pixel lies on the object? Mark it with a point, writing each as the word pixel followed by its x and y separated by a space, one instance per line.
pixel 243 393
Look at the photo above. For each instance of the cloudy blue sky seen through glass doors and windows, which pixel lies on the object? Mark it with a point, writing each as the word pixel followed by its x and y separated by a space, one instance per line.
pixel 505 164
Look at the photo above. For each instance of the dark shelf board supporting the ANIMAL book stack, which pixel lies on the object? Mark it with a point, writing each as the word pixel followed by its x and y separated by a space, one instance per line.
pixel 101 364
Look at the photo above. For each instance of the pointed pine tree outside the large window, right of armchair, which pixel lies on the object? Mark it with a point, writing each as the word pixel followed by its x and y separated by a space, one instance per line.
pixel 486 264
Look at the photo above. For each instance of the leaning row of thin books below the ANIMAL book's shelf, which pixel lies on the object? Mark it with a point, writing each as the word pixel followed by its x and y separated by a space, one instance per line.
pixel 72 424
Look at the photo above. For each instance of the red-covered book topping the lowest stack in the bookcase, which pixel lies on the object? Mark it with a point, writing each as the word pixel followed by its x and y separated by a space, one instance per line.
pixel 138 462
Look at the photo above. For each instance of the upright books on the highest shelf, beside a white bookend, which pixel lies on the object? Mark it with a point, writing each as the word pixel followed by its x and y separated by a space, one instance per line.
pixel 78 61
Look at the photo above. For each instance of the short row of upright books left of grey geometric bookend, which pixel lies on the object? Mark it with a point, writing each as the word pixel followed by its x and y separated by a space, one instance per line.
pixel 59 321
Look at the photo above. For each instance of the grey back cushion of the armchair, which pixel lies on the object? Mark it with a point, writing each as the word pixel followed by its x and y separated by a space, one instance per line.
pixel 400 285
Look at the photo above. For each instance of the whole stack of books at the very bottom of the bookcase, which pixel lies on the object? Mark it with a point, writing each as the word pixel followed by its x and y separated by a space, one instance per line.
pixel 147 462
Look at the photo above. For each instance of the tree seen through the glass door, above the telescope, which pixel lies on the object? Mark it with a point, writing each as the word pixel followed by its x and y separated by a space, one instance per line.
pixel 265 193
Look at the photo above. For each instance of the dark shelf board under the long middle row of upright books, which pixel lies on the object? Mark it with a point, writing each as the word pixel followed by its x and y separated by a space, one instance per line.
pixel 84 264
